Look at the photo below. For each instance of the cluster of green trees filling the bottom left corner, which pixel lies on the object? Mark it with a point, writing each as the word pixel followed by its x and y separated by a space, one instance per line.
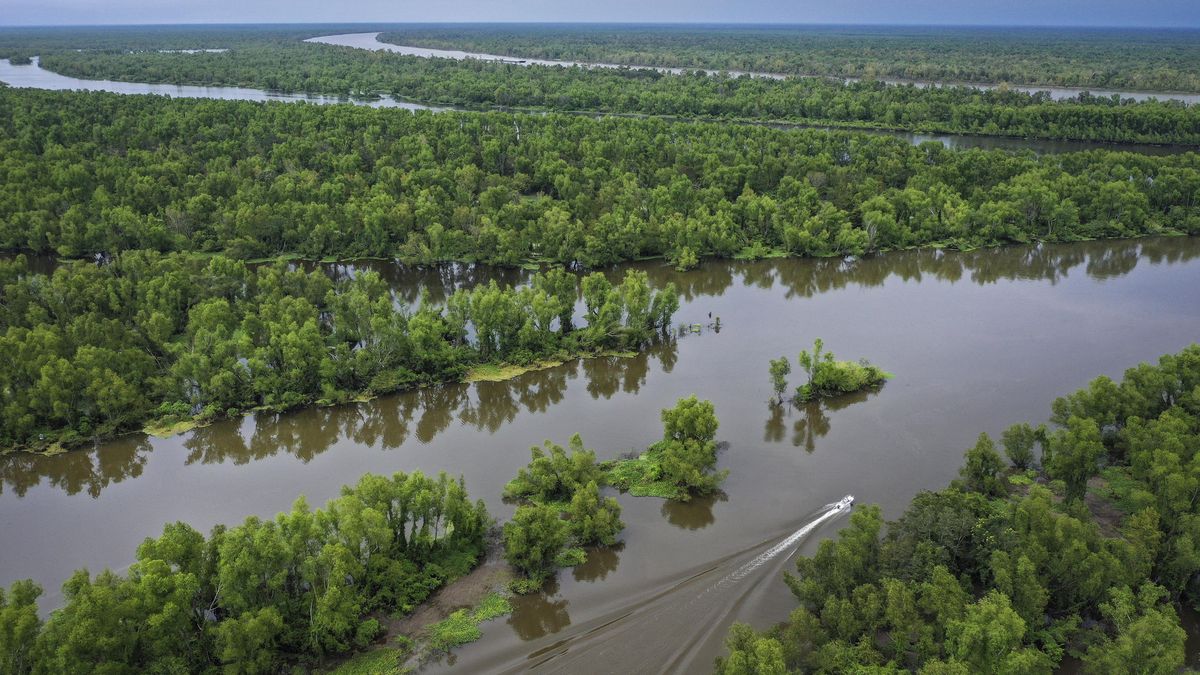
pixel 265 596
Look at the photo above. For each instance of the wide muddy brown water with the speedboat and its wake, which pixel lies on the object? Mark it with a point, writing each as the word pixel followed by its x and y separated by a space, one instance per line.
pixel 976 341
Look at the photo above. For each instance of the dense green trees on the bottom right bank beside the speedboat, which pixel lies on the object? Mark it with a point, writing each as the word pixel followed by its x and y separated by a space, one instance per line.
pixel 1087 554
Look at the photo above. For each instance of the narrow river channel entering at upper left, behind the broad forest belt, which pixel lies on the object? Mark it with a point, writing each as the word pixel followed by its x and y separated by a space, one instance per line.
pixel 33 76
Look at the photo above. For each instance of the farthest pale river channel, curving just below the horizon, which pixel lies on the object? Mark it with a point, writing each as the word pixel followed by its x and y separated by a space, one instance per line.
pixel 371 41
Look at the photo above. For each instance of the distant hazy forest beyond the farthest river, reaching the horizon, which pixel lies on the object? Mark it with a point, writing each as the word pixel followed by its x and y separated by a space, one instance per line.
pixel 1156 61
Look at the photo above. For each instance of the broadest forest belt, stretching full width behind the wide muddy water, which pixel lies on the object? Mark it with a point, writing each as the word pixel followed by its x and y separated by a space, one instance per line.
pixel 98 174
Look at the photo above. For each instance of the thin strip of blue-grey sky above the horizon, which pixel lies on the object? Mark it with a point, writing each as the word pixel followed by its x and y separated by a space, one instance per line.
pixel 1171 14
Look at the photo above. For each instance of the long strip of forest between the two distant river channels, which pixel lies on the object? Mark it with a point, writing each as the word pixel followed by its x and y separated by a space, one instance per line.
pixel 290 65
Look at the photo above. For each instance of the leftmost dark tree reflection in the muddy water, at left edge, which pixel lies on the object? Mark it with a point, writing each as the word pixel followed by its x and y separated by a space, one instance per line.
pixel 77 471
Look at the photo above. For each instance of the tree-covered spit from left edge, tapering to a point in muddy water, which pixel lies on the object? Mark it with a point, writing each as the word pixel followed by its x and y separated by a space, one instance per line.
pixel 98 350
